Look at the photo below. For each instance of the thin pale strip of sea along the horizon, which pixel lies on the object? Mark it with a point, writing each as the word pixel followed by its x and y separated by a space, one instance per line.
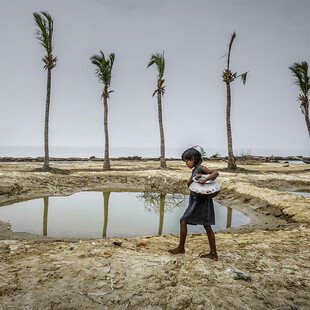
pixel 153 152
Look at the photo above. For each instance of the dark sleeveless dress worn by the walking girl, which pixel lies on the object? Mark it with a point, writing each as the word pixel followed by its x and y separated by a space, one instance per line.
pixel 200 210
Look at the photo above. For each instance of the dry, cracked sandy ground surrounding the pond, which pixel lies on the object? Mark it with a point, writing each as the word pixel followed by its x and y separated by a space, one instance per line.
pixel 272 253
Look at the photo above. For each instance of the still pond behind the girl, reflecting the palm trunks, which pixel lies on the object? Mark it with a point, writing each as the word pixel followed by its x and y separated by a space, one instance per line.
pixel 109 214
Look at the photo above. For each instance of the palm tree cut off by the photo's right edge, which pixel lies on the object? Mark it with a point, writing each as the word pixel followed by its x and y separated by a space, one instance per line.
pixel 300 72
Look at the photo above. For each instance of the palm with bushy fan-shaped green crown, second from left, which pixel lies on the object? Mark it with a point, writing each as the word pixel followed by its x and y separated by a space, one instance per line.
pixel 104 73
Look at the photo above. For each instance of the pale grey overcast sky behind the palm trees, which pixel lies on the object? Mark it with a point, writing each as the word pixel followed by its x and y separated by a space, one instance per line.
pixel 271 36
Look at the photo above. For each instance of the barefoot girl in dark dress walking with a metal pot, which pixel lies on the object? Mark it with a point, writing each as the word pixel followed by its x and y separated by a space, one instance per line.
pixel 200 210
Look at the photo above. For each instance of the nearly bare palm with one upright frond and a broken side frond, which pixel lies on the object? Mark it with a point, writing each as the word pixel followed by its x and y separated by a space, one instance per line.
pixel 229 77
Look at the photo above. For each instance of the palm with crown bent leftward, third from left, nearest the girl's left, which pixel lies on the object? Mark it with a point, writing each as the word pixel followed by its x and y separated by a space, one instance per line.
pixel 159 61
